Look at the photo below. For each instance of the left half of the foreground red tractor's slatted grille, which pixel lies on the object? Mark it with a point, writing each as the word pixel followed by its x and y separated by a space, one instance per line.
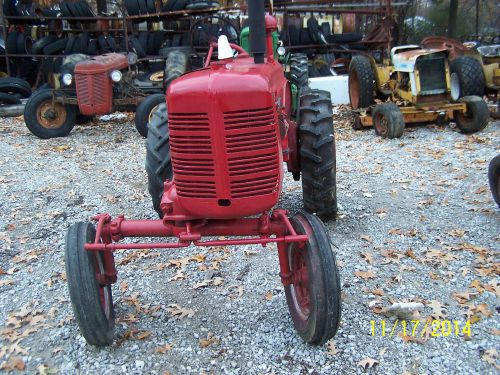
pixel 192 155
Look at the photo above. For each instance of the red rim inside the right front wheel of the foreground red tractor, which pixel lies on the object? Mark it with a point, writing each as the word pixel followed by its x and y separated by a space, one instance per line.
pixel 300 281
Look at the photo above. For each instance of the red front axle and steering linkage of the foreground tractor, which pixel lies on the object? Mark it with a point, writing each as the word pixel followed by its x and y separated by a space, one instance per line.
pixel 268 228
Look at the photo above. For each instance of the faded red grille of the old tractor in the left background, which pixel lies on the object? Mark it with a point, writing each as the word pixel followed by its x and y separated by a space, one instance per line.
pixel 91 89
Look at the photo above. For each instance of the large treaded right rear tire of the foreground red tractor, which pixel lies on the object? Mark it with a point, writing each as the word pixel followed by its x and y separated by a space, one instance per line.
pixel 317 153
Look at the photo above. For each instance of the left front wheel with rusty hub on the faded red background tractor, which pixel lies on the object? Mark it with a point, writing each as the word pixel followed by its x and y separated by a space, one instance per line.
pixel 46 118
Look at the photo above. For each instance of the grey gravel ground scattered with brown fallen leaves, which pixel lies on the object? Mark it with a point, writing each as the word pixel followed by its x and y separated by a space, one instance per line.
pixel 417 224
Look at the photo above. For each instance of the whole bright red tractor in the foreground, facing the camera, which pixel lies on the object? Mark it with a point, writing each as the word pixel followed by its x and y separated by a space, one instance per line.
pixel 215 168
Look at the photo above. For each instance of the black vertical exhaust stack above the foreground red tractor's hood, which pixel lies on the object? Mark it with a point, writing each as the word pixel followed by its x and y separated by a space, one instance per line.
pixel 256 22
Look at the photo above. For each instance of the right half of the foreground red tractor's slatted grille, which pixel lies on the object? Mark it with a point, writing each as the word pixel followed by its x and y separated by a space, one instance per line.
pixel 251 147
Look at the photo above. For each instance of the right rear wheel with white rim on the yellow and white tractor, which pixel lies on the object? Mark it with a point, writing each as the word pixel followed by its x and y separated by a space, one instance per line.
pixel 467 77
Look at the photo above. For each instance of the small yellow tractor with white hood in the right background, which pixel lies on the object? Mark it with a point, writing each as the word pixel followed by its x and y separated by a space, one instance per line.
pixel 413 86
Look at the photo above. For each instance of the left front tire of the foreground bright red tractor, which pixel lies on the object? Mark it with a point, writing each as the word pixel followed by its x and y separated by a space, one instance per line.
pixel 91 300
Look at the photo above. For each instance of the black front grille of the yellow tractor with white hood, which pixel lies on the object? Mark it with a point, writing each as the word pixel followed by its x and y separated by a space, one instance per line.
pixel 432 74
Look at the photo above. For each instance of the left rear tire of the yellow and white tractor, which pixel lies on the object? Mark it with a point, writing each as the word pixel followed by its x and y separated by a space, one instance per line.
pixel 361 82
